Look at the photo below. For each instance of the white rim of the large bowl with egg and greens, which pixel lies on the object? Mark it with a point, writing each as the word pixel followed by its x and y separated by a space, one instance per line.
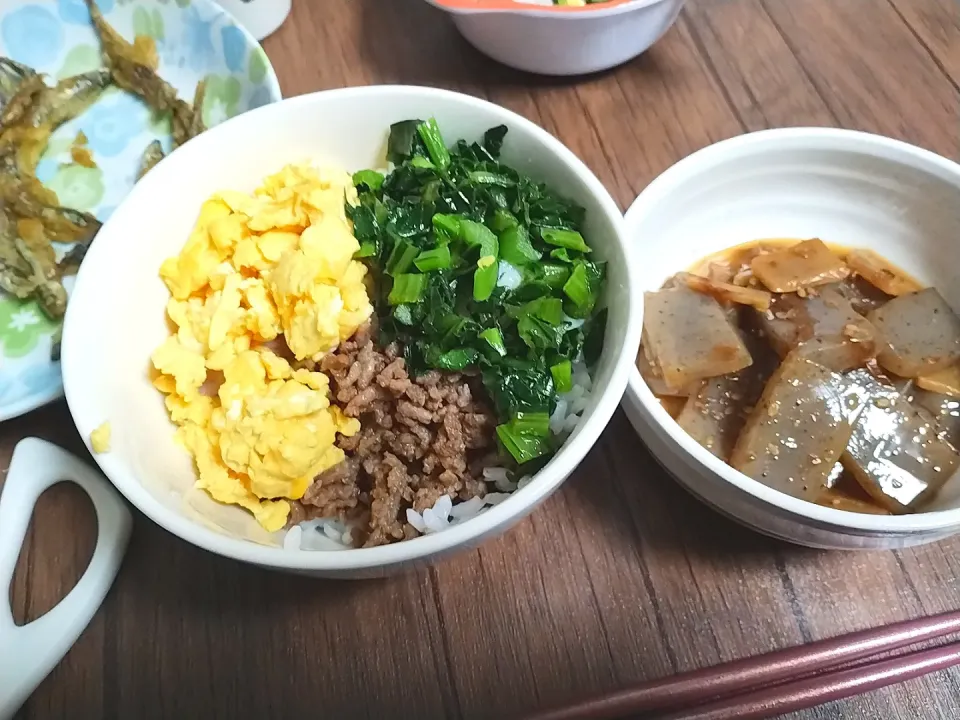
pixel 522 501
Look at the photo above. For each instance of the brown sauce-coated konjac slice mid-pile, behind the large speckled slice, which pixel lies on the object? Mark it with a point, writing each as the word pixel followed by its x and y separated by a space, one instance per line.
pixel 824 324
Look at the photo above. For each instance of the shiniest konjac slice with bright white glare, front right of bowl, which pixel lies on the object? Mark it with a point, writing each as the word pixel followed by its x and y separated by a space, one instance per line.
pixel 895 451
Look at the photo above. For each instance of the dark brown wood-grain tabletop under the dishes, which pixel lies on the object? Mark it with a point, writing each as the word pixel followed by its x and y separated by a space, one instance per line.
pixel 619 577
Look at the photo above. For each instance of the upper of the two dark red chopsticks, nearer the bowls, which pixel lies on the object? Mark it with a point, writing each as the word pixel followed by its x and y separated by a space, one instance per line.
pixel 758 673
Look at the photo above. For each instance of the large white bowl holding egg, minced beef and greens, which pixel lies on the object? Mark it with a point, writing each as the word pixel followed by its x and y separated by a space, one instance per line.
pixel 116 317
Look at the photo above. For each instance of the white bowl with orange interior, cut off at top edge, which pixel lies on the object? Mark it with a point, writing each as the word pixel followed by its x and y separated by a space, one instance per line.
pixel 538 37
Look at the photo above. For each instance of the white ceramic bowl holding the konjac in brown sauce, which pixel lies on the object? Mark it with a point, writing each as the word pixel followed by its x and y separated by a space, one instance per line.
pixel 850 188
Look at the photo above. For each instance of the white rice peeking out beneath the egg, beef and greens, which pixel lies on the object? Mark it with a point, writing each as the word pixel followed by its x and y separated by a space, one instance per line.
pixel 332 534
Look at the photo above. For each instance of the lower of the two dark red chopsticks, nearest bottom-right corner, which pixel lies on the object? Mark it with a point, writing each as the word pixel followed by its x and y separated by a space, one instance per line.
pixel 827 687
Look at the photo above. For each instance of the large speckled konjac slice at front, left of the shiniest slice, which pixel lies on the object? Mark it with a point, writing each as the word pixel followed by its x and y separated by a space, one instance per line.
pixel 798 430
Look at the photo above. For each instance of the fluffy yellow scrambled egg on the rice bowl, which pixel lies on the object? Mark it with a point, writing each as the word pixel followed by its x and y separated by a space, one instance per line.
pixel 259 270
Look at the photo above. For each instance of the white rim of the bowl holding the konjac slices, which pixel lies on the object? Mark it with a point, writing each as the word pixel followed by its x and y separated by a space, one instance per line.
pixel 639 394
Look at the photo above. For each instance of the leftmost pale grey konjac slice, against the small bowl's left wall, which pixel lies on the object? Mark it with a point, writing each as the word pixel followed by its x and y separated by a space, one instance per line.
pixel 690 337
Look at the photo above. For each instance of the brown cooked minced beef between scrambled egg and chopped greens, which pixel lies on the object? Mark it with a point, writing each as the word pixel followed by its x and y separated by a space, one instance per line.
pixel 420 438
